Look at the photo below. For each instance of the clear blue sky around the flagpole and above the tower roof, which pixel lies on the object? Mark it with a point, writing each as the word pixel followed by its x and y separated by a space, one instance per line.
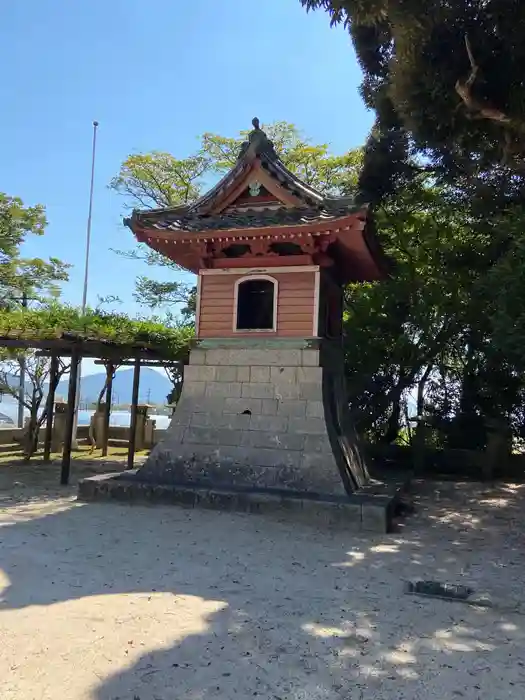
pixel 156 74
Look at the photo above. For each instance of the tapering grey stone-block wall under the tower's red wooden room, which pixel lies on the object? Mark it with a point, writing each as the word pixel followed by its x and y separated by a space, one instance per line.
pixel 258 418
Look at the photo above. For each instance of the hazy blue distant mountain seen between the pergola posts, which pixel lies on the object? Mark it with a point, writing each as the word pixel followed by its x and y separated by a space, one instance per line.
pixel 153 388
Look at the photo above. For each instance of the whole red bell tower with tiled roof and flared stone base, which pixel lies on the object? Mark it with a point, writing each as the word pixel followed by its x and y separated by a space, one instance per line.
pixel 263 406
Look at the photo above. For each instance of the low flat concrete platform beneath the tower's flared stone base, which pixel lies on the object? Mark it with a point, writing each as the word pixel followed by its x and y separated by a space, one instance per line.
pixel 372 509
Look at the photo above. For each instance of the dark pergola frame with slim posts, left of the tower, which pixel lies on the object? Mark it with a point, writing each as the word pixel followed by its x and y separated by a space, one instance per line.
pixel 77 347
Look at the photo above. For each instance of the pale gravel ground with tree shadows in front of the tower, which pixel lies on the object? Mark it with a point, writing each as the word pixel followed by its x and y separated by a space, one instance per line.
pixel 115 602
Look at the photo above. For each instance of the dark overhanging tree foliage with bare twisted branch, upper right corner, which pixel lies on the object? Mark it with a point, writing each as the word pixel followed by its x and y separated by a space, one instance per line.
pixel 443 75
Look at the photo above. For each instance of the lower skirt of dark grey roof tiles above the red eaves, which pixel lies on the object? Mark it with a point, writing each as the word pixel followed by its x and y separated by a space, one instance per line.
pixel 249 218
